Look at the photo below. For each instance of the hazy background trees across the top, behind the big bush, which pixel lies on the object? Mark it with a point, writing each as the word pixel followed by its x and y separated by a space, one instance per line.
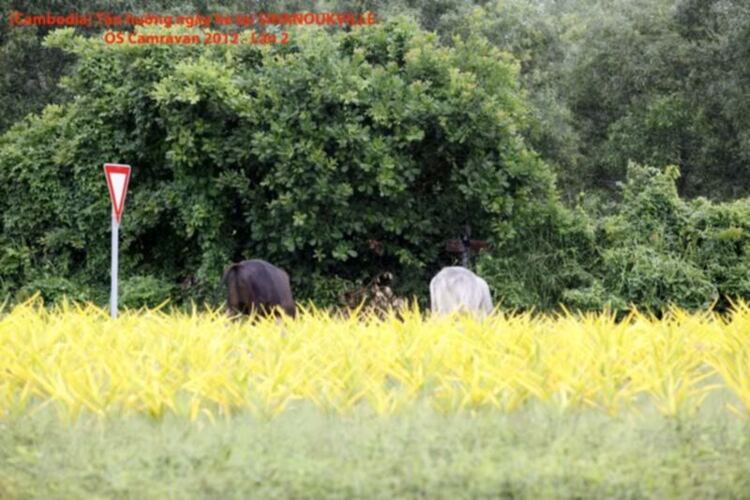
pixel 609 81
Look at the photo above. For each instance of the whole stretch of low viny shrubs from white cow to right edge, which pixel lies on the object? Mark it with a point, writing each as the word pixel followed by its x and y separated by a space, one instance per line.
pixel 655 249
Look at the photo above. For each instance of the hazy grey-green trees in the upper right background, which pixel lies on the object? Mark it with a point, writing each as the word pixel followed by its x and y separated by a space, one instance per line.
pixel 611 81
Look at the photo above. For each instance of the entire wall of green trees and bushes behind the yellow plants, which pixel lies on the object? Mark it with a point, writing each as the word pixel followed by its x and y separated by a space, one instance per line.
pixel 549 126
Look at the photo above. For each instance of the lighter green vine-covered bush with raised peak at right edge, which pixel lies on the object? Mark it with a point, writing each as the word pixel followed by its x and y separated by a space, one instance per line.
pixel 660 248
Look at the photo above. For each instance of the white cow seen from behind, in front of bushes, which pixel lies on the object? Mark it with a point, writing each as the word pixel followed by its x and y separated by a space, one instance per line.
pixel 458 289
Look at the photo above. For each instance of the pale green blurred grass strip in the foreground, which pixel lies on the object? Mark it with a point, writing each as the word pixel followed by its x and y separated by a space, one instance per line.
pixel 533 453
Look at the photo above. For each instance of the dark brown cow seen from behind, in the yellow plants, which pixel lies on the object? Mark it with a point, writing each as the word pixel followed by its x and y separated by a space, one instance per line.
pixel 257 286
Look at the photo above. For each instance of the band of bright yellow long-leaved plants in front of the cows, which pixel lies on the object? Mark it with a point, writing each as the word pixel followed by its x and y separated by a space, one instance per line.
pixel 75 358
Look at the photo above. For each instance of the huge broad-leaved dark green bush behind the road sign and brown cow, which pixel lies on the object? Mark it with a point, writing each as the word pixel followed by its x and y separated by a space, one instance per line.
pixel 299 153
